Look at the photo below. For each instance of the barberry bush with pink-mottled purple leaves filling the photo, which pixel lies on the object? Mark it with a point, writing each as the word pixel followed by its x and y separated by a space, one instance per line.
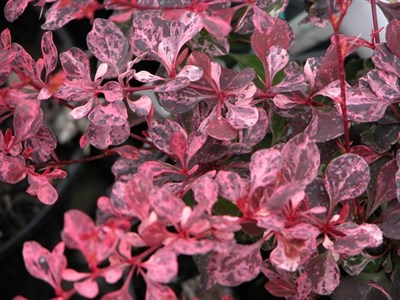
pixel 299 157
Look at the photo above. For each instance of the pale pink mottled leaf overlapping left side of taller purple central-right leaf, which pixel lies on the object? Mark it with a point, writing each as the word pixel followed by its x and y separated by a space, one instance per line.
pixel 264 167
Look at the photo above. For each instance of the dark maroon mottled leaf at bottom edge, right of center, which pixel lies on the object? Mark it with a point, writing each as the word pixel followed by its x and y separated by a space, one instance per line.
pixel 323 273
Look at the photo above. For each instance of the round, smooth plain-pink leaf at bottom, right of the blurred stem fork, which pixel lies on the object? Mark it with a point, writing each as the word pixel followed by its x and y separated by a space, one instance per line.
pixel 162 266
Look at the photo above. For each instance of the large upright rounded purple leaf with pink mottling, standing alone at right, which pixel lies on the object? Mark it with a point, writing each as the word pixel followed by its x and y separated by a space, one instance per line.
pixel 346 177
